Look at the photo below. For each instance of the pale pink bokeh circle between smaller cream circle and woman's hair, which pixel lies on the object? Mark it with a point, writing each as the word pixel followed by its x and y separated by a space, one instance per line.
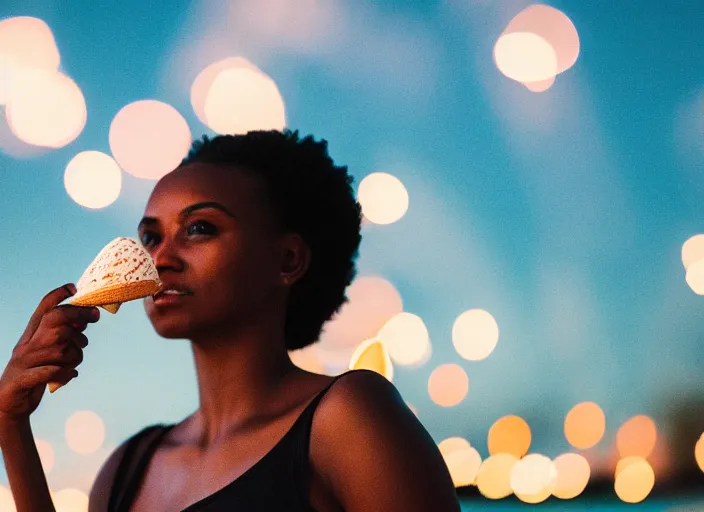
pixel 148 138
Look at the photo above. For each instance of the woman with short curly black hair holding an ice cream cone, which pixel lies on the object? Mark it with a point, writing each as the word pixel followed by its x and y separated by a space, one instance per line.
pixel 256 237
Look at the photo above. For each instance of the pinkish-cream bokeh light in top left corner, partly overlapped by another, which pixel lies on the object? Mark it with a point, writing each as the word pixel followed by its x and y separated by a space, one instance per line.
pixel 25 42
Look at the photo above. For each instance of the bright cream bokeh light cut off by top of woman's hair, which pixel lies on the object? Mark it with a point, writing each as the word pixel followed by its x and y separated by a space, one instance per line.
pixel 242 99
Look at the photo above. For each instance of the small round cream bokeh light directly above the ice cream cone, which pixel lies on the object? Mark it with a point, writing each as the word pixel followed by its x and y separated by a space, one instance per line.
pixel 93 179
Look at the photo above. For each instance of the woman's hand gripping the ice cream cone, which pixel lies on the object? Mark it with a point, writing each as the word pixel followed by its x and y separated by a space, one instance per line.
pixel 49 350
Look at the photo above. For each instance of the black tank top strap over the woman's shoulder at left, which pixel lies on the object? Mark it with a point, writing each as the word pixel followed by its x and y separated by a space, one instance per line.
pixel 138 452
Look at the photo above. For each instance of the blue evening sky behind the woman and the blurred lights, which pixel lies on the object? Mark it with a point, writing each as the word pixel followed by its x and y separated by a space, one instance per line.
pixel 562 213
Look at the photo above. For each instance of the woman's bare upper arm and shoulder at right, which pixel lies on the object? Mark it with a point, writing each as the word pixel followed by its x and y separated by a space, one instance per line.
pixel 374 454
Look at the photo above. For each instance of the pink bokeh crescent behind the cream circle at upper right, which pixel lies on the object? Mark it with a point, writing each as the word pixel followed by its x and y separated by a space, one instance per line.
pixel 554 27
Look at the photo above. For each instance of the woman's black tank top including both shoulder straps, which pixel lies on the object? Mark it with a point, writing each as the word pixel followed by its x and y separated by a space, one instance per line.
pixel 279 481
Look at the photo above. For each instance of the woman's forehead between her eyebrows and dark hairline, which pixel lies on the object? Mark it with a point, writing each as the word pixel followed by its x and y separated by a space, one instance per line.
pixel 238 190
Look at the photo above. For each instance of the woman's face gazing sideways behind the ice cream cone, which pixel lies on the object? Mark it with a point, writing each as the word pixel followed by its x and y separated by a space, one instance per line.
pixel 211 233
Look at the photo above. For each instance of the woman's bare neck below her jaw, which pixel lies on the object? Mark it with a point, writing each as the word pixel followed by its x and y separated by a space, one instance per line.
pixel 238 375
